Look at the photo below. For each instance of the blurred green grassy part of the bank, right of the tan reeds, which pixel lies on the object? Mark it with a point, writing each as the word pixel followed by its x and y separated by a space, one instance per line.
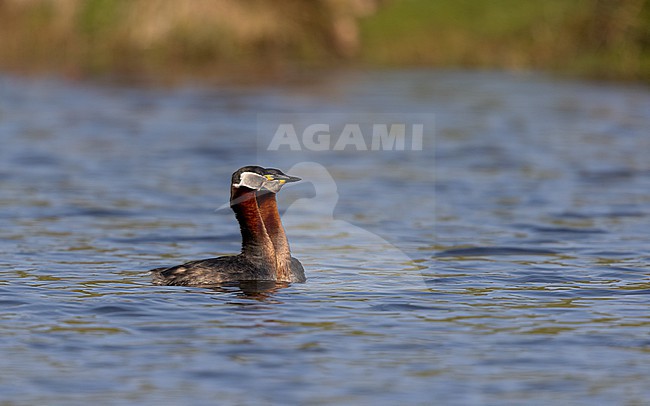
pixel 589 37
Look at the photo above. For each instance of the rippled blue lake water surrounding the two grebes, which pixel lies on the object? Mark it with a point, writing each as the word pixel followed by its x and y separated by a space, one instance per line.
pixel 504 262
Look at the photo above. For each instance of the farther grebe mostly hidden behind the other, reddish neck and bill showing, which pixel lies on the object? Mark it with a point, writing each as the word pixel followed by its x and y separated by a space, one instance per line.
pixel 288 268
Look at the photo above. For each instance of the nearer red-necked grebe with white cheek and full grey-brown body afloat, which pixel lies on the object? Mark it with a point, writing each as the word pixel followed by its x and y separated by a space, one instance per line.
pixel 257 260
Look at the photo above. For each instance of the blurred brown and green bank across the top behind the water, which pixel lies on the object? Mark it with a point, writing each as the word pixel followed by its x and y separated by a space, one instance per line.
pixel 169 38
